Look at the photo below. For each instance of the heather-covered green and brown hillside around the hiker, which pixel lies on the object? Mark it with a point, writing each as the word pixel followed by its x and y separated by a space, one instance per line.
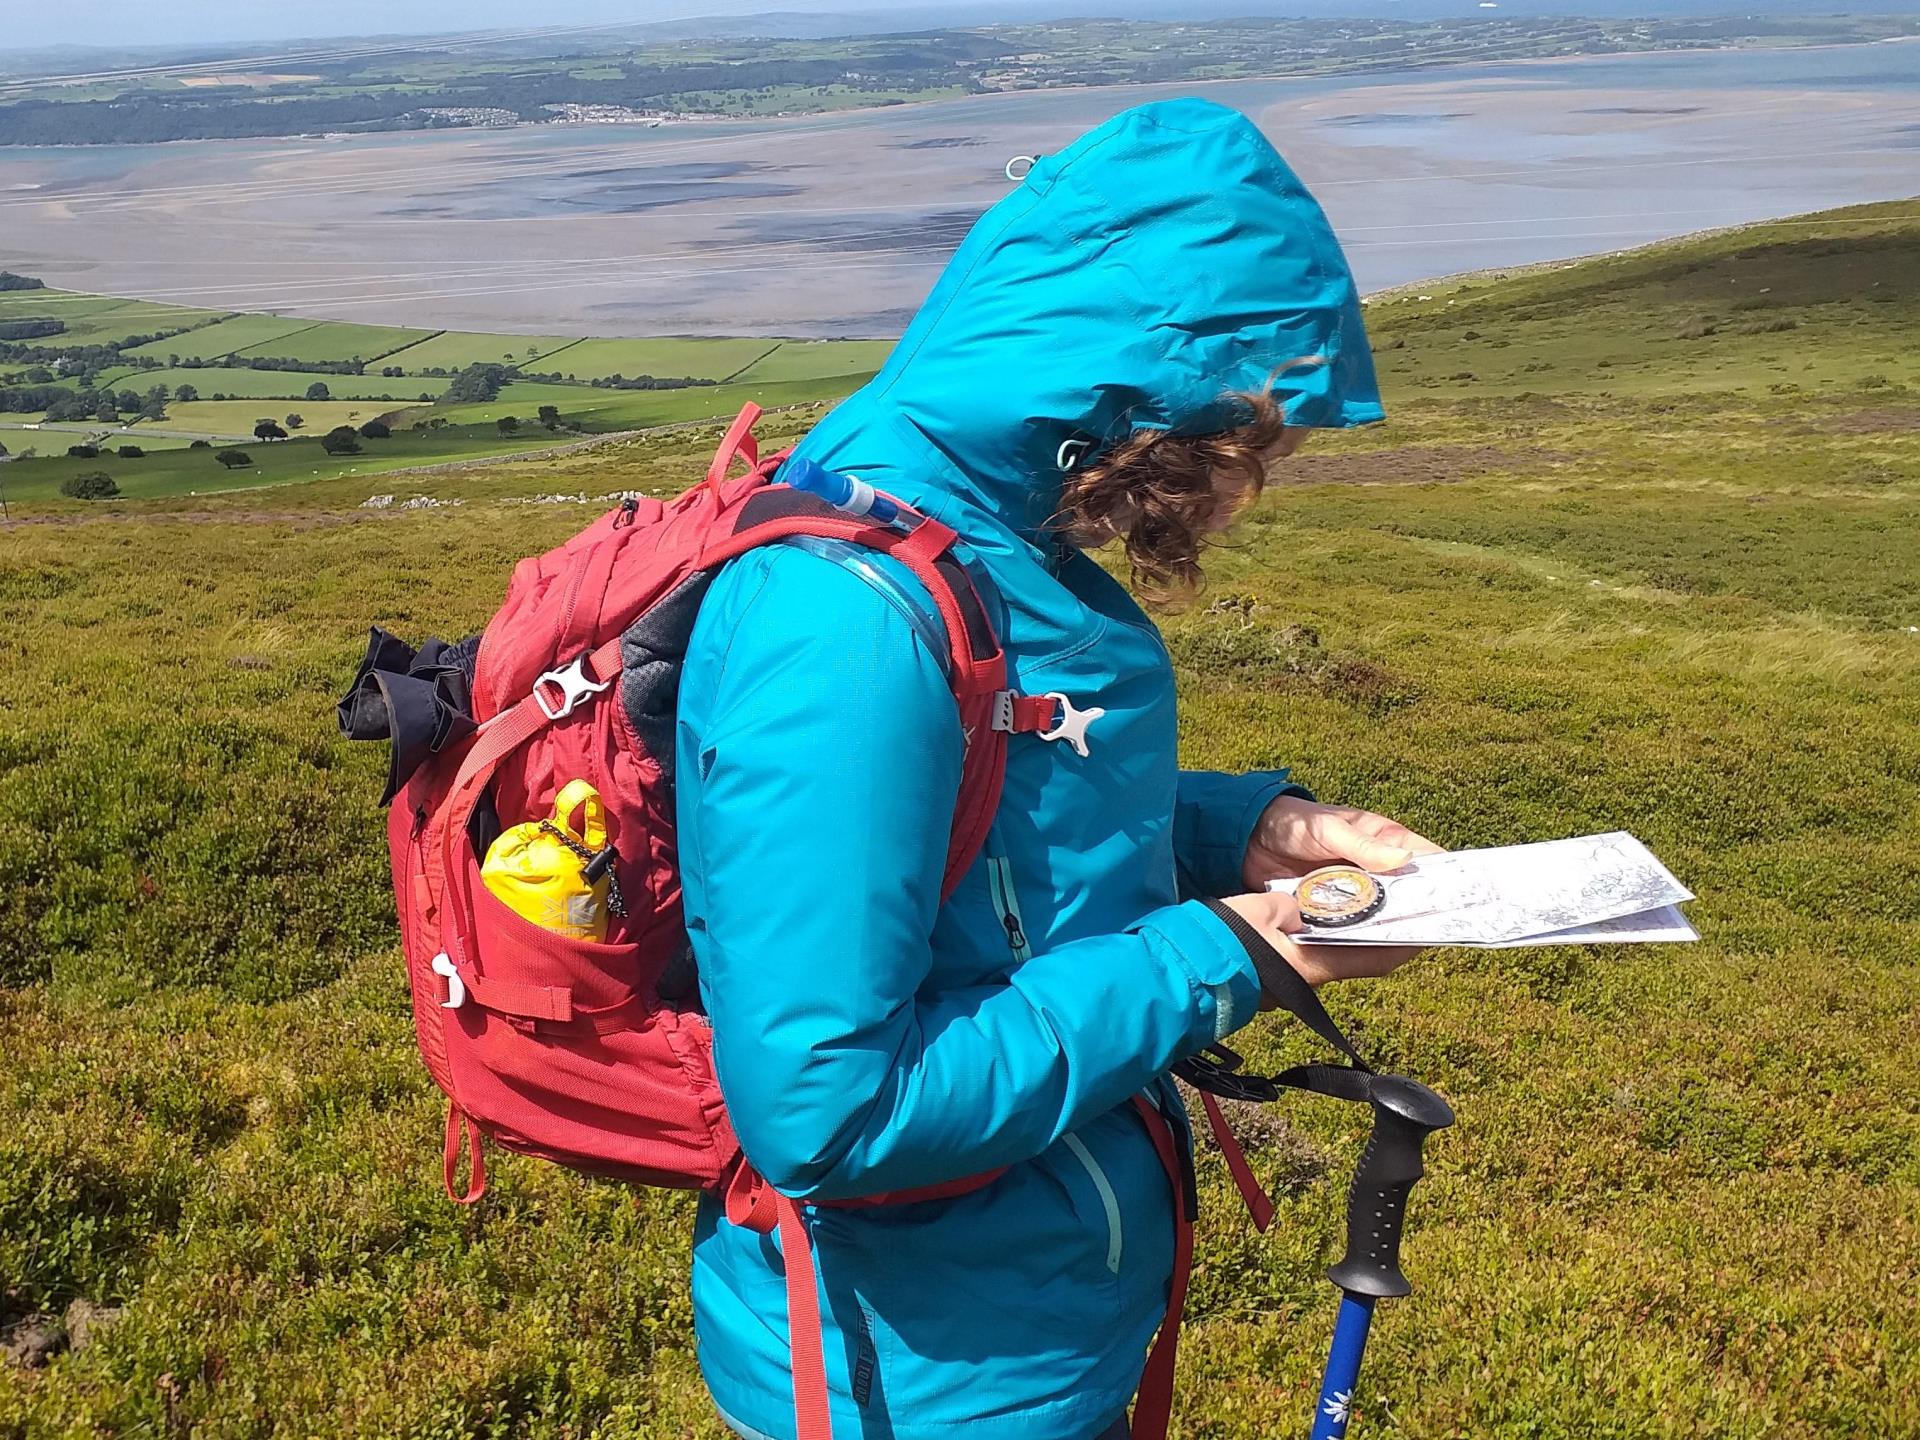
pixel 1685 1193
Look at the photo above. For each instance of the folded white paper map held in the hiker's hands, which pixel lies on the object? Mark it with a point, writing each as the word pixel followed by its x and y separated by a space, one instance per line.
pixel 1593 890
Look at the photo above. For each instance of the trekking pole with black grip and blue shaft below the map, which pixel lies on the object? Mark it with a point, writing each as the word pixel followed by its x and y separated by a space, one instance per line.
pixel 1404 1115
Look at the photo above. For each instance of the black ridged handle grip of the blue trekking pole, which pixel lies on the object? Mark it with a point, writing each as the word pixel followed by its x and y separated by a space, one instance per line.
pixel 1404 1115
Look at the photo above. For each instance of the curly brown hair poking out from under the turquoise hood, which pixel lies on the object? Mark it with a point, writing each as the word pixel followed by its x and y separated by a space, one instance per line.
pixel 1163 494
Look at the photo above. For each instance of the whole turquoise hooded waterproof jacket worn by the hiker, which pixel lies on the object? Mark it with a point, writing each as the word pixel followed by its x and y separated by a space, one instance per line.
pixel 871 1038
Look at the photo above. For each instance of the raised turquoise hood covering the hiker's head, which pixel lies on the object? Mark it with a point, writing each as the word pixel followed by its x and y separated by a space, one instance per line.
pixel 1134 281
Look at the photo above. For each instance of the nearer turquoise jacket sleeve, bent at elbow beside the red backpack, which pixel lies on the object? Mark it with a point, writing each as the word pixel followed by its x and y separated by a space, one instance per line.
pixel 813 842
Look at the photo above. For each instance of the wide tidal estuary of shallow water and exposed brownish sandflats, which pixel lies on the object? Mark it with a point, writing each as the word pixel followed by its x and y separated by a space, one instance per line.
pixel 838 226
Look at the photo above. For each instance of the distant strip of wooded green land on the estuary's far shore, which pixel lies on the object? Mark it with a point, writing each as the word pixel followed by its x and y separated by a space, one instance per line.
pixel 602 82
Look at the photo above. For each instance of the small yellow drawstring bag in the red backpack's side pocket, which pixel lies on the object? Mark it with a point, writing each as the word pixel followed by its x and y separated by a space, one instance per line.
pixel 558 876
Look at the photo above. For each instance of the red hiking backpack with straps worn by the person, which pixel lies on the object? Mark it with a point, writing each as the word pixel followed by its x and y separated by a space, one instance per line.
pixel 596 1053
